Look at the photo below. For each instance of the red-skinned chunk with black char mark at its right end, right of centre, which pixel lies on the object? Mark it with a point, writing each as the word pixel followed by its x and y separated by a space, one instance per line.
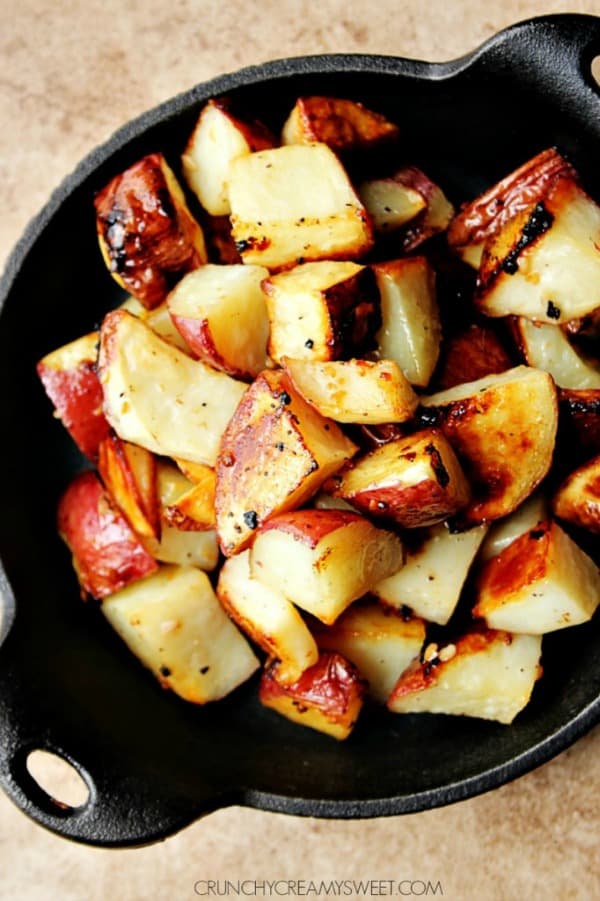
pixel 414 481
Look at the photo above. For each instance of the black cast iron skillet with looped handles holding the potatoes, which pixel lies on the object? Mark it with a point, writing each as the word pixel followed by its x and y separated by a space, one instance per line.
pixel 153 764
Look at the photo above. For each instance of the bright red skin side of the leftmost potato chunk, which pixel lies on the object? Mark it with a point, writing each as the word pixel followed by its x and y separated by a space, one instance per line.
pixel 77 396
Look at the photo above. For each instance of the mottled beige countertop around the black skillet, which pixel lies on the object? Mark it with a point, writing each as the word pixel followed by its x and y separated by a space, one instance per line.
pixel 71 72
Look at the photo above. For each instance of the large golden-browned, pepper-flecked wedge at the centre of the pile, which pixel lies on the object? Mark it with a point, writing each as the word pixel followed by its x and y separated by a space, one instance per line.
pixel 275 454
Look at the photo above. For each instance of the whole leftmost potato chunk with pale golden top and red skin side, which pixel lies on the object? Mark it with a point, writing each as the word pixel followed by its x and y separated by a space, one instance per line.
pixel 71 382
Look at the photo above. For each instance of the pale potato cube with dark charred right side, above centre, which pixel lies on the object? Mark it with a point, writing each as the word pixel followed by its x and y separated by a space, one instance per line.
pixel 321 311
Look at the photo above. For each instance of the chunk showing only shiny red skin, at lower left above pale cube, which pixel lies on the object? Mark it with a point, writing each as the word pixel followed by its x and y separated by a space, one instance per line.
pixel 107 555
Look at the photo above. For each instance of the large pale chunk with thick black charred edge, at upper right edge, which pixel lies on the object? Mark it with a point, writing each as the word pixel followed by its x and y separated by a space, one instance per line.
pixel 544 264
